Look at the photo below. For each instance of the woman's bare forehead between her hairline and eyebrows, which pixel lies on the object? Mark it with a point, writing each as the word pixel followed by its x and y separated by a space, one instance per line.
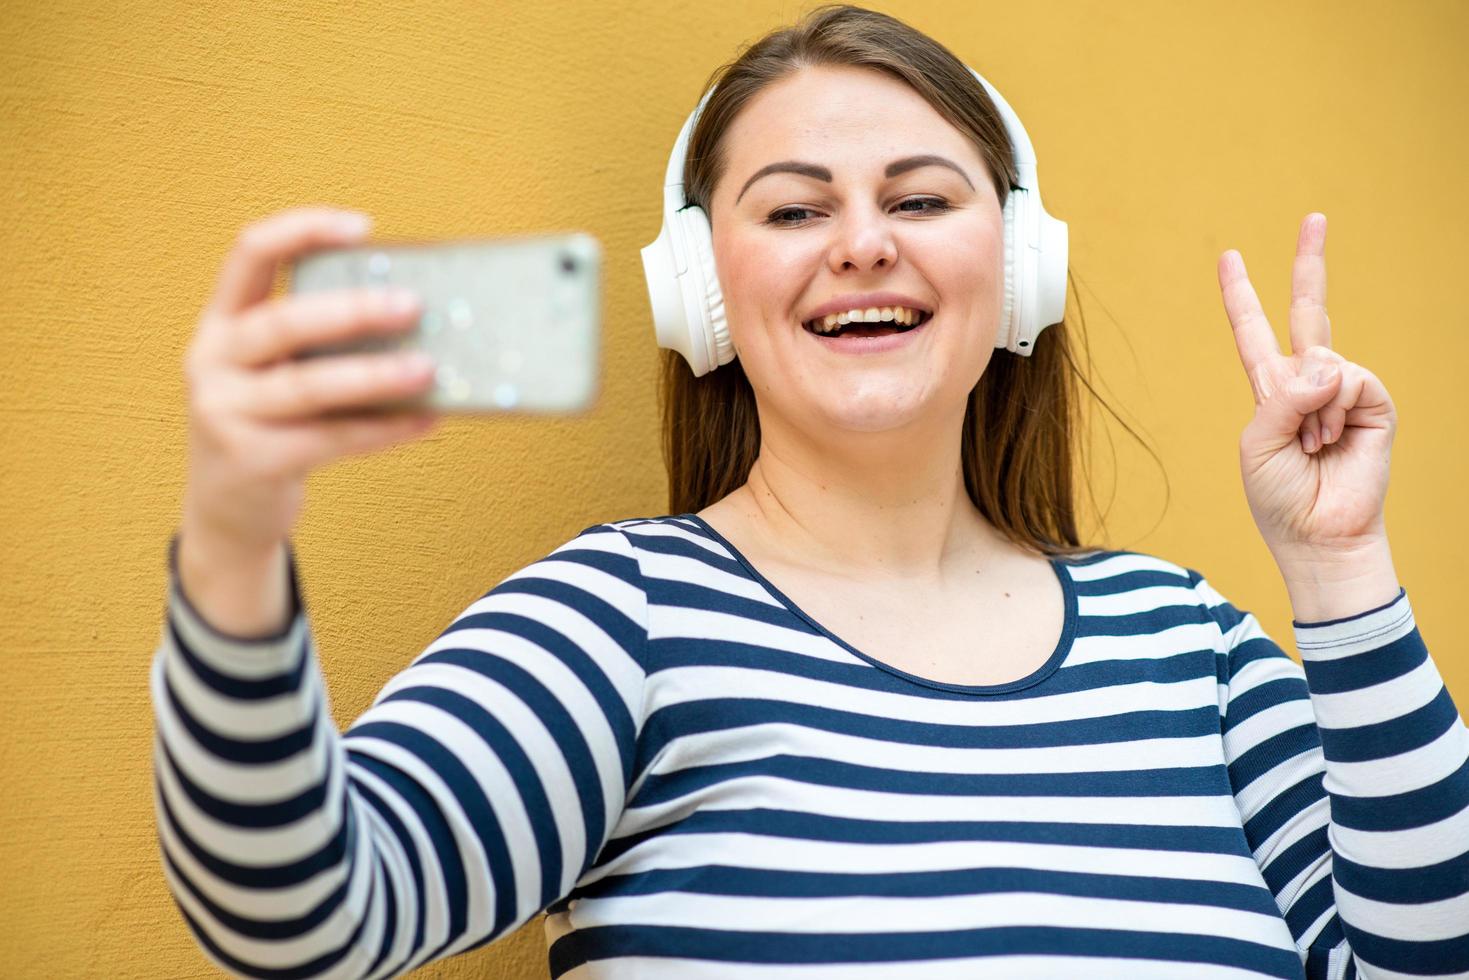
pixel 823 112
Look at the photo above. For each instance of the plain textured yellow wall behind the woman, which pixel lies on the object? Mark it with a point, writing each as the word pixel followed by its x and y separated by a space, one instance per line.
pixel 136 139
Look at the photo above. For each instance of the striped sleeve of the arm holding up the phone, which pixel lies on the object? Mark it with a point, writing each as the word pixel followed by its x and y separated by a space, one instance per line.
pixel 471 797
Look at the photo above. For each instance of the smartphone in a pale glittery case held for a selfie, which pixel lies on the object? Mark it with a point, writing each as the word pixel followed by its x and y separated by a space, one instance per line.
pixel 512 324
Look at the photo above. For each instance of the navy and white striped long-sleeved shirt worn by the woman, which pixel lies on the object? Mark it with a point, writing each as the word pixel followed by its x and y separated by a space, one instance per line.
pixel 646 741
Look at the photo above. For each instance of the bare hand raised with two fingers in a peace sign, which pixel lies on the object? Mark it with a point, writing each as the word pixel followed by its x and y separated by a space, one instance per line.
pixel 1318 496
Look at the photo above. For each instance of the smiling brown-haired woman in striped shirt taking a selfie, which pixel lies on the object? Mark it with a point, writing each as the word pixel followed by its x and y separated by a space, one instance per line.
pixel 863 706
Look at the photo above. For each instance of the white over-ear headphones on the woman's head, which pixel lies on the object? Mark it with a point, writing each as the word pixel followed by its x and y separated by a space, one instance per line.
pixel 688 306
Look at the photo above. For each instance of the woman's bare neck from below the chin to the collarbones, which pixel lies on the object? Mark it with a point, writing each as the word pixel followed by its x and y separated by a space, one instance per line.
pixel 873 505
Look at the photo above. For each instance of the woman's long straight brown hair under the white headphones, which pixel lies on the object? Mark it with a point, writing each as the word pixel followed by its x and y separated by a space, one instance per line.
pixel 1023 421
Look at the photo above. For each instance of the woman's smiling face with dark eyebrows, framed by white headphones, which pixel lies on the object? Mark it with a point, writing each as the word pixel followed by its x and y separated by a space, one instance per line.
pixel 790 245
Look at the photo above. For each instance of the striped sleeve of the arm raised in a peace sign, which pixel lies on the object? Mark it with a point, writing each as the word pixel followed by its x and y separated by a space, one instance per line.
pixel 1351 772
